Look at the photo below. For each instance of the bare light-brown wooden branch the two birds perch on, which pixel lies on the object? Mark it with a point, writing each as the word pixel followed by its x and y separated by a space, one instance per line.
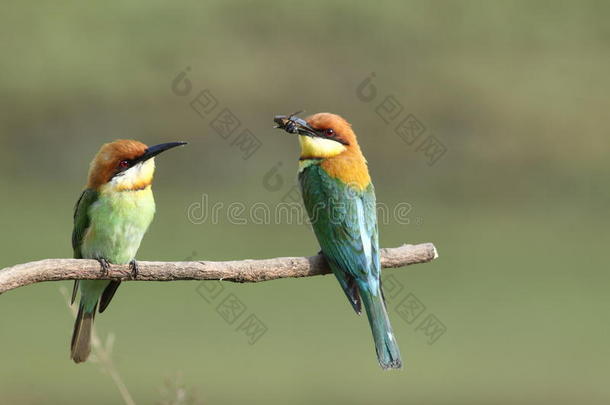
pixel 237 271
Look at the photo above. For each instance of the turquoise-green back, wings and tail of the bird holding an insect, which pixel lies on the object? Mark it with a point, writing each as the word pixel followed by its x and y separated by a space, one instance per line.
pixel 344 220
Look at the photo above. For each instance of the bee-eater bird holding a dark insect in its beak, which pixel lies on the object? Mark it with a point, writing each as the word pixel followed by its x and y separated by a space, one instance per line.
pixel 340 201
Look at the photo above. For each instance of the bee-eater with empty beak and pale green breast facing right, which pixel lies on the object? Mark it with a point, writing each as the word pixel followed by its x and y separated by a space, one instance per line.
pixel 110 219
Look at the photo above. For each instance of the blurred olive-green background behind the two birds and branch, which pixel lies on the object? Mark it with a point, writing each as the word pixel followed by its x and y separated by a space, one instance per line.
pixel 517 92
